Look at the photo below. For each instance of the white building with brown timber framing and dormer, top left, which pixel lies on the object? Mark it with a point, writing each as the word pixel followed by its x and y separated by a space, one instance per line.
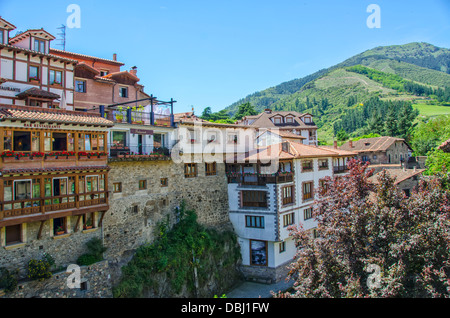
pixel 29 74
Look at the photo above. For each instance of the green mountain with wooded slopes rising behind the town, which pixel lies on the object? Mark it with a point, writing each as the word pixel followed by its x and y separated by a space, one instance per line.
pixel 382 78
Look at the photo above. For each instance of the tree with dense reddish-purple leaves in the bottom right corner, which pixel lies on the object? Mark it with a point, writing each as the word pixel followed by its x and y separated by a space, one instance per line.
pixel 373 241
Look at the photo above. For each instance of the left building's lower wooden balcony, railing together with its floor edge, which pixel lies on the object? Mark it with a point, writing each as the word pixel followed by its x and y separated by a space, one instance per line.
pixel 40 209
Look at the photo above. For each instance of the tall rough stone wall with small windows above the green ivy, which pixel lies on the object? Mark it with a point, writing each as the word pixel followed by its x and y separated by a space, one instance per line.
pixel 134 214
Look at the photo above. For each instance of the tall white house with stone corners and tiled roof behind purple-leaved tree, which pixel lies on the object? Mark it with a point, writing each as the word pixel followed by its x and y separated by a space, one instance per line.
pixel 272 189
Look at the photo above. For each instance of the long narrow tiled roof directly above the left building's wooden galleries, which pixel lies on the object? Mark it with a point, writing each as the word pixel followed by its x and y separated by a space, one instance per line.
pixel 51 116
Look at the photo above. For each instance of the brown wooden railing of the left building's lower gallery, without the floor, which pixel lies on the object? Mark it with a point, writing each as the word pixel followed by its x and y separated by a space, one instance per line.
pixel 26 207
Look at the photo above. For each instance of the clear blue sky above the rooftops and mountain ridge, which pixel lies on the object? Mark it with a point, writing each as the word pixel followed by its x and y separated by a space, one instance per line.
pixel 212 53
